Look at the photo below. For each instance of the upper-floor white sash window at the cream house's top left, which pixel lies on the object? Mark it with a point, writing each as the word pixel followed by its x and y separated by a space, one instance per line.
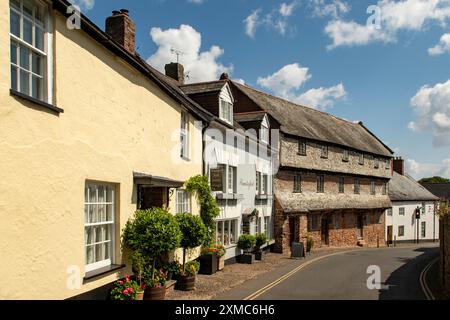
pixel 29 48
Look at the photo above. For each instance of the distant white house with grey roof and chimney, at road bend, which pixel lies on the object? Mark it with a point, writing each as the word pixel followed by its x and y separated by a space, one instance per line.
pixel 407 195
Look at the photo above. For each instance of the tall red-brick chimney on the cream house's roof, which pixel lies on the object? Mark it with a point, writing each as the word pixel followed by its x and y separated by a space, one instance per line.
pixel 122 29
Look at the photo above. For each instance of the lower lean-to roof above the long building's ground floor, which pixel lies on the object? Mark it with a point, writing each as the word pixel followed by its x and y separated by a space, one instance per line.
pixel 309 202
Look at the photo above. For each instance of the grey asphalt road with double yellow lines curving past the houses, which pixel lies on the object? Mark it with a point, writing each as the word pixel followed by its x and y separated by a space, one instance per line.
pixel 343 275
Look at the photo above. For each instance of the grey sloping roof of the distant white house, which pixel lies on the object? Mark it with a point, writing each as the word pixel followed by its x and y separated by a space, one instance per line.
pixel 405 188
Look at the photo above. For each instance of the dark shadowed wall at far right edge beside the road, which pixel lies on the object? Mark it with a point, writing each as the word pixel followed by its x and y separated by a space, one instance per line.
pixel 444 264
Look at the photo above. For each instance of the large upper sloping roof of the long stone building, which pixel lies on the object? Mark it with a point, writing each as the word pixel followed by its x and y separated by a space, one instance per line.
pixel 313 124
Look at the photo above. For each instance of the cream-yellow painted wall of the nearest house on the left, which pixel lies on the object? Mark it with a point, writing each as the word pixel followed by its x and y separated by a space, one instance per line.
pixel 115 122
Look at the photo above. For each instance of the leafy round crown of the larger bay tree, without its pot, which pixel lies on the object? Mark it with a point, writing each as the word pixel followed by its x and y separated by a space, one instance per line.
pixel 151 234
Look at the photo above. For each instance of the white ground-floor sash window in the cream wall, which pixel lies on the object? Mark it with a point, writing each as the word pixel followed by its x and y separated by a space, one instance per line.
pixel 99 225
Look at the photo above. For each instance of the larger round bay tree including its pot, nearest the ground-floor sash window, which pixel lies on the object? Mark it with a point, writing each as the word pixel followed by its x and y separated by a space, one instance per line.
pixel 151 234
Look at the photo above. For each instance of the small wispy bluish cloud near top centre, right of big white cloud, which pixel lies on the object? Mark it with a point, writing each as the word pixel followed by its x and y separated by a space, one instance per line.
pixel 277 19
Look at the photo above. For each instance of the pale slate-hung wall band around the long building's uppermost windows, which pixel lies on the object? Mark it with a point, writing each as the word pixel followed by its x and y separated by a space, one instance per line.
pixel 334 163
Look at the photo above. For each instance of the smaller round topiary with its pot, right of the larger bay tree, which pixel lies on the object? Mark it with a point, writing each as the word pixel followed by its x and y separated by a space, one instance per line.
pixel 193 233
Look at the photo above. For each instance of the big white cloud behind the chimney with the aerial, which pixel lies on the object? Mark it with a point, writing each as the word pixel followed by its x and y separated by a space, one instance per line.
pixel 201 66
